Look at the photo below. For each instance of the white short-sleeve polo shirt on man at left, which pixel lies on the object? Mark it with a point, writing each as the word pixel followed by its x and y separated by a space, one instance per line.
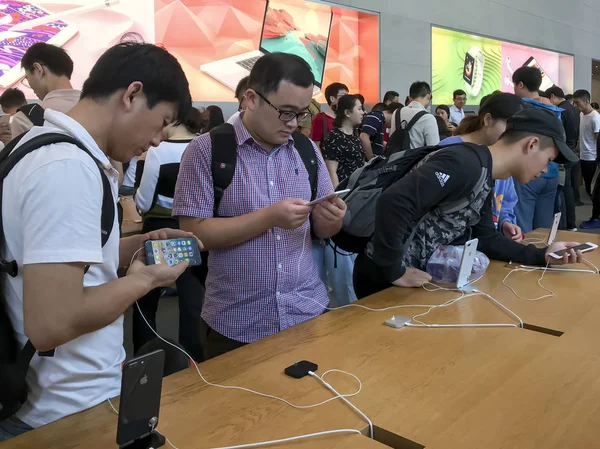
pixel 51 209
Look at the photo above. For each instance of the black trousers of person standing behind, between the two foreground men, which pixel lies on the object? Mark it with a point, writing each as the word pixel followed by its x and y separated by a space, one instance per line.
pixel 190 292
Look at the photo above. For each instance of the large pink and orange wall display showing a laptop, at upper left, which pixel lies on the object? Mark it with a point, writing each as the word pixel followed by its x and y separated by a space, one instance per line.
pixel 216 42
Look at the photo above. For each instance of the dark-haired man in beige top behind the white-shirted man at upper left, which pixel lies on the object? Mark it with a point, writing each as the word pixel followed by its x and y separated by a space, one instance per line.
pixel 48 71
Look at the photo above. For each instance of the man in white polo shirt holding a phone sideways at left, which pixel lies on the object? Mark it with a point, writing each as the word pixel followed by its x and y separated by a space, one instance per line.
pixel 52 202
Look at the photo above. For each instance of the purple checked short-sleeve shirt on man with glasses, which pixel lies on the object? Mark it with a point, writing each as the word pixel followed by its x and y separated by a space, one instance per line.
pixel 261 286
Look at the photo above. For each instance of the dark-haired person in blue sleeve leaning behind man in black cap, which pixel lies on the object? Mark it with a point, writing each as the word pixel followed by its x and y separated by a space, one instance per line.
pixel 485 129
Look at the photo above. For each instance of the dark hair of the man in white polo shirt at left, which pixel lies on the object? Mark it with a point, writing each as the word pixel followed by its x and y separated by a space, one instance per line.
pixel 158 70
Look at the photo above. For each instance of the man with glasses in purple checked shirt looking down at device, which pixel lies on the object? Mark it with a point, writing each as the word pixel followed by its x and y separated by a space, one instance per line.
pixel 262 277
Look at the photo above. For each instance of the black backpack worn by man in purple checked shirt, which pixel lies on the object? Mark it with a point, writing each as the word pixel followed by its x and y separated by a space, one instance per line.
pixel 224 159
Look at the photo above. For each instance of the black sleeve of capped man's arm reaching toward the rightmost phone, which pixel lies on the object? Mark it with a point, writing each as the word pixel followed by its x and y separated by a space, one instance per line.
pixel 497 246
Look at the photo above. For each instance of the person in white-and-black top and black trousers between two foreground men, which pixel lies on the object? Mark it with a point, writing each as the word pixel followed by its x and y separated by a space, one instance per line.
pixel 159 168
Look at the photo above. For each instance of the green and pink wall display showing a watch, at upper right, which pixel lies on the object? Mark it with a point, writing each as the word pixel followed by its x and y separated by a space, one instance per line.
pixel 480 65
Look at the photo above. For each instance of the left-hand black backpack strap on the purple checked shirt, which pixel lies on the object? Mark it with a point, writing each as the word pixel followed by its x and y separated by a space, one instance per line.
pixel 224 158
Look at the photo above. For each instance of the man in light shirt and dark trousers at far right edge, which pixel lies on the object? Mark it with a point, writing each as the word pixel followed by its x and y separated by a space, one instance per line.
pixel 589 130
